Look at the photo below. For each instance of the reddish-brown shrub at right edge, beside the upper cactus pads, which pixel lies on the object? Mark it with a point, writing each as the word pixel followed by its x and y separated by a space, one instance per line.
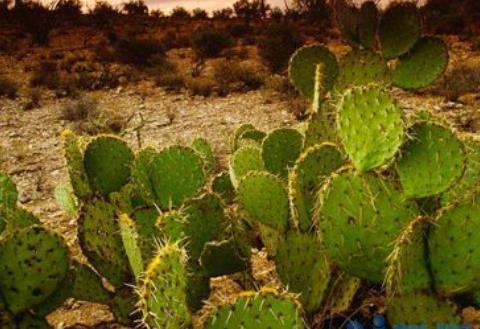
pixel 462 79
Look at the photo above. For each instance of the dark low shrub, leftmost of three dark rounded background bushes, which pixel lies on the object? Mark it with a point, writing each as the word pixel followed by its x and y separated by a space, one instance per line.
pixel 136 51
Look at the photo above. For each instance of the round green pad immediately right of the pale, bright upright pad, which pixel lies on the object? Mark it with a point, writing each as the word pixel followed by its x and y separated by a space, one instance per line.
pixel 431 161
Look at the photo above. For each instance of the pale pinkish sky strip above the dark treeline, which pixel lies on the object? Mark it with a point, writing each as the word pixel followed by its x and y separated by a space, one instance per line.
pixel 167 5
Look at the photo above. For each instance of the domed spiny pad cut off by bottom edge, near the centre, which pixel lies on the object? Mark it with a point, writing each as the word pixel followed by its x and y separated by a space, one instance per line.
pixel 261 310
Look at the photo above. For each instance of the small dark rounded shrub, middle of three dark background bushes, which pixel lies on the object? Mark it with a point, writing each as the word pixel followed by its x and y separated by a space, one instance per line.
pixel 209 43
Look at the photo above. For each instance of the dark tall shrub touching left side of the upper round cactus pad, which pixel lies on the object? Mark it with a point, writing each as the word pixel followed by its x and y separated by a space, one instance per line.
pixel 277 43
